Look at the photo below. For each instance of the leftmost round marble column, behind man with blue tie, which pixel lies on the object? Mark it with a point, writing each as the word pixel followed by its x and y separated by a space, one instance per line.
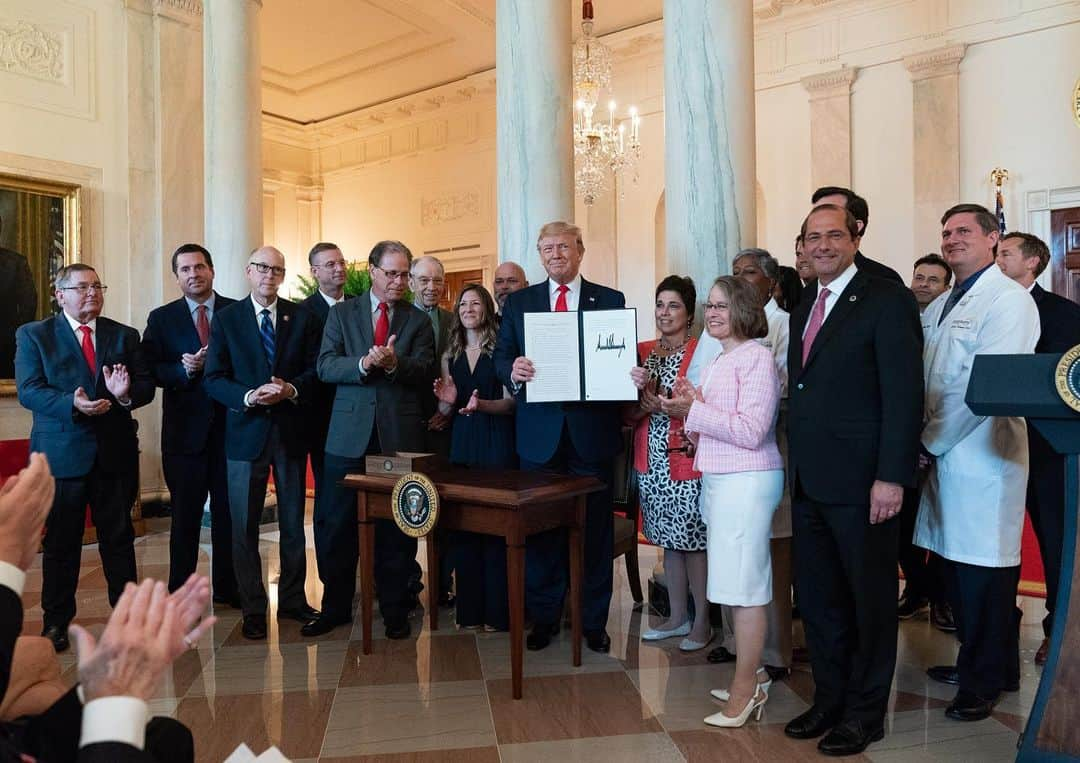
pixel 234 138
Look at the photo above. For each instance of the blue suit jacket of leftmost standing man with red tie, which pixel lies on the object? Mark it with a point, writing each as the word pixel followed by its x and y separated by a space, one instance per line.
pixel 50 367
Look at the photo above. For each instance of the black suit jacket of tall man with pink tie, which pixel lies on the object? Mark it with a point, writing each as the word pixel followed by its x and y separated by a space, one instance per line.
pixel 856 410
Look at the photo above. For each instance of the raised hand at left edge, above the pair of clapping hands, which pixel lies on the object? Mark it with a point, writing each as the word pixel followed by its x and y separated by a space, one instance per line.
pixel 25 501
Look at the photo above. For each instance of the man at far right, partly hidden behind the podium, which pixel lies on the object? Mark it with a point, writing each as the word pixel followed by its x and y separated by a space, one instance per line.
pixel 1024 258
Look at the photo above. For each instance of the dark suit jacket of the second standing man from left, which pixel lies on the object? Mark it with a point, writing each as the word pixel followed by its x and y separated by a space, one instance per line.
pixel 188 413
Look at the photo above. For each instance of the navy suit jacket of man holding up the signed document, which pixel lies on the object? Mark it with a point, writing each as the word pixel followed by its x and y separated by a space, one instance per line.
pixel 595 429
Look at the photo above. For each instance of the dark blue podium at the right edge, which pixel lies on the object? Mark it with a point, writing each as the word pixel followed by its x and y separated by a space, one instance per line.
pixel 1025 386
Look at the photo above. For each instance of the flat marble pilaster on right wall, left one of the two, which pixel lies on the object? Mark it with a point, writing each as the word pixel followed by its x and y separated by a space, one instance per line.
pixel 831 127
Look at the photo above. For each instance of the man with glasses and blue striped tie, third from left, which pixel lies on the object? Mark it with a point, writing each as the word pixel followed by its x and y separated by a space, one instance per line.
pixel 262 367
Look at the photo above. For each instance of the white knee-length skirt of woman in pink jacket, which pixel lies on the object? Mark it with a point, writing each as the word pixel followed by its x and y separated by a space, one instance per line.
pixel 738 511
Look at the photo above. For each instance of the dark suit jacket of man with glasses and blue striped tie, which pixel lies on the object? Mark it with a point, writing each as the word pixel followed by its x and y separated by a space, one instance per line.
pixel 236 364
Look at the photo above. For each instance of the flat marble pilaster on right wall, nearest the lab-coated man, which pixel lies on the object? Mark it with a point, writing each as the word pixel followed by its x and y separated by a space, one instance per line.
pixel 936 92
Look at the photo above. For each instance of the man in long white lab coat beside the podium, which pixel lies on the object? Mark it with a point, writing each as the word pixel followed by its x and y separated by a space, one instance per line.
pixel 973 507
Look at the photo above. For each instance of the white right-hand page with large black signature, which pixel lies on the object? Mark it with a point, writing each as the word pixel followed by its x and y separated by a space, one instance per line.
pixel 611 352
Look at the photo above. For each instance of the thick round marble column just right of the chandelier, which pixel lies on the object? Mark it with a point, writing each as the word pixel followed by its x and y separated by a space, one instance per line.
pixel 709 144
